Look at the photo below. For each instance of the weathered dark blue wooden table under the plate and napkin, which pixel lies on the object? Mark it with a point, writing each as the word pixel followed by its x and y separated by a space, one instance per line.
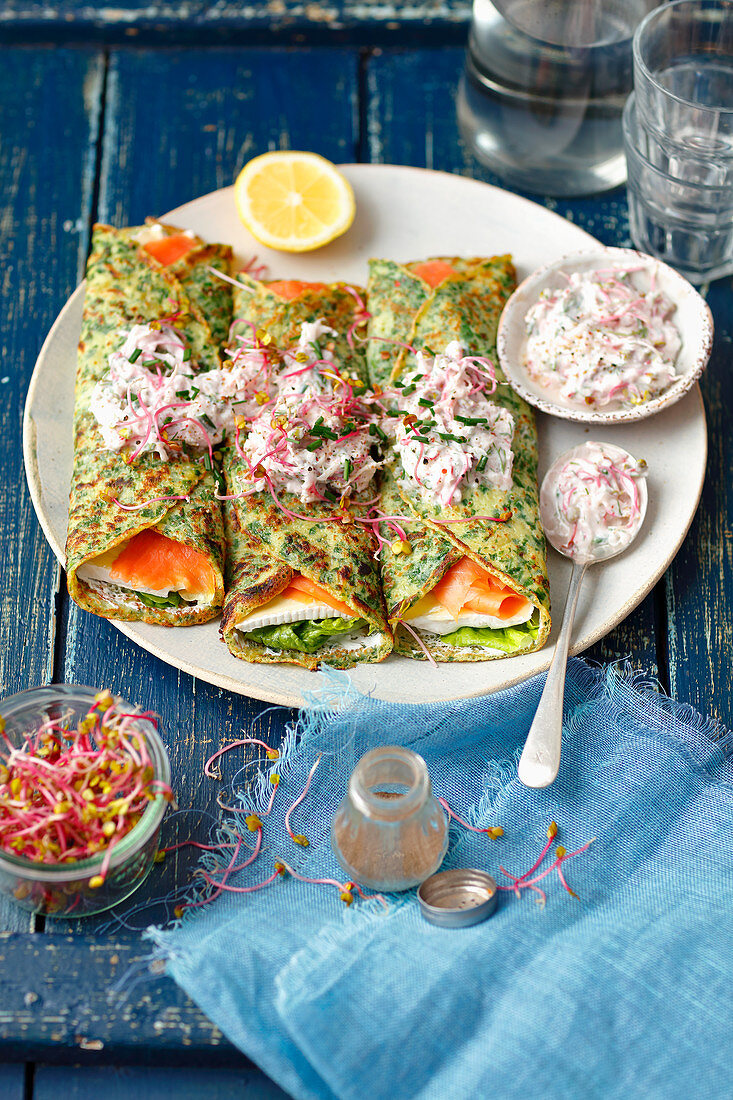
pixel 117 114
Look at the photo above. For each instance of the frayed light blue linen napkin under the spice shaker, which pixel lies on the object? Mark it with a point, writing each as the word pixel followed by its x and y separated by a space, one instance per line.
pixel 626 992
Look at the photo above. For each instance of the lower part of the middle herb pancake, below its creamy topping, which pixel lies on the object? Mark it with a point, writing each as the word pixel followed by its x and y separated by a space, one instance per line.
pixel 272 614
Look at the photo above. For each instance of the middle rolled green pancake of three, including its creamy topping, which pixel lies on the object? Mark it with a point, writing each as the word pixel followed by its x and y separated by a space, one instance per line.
pixel 302 584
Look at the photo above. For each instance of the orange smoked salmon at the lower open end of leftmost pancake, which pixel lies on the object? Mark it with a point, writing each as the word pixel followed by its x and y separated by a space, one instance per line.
pixel 152 562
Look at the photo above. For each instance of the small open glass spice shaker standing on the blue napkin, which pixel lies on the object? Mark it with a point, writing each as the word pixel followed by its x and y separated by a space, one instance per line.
pixel 390 832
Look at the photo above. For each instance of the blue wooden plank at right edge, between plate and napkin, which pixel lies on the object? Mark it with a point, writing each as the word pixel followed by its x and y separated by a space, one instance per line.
pixel 701 582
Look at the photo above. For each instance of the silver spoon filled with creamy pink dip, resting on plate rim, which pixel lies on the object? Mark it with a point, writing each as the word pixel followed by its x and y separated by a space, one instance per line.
pixel 593 504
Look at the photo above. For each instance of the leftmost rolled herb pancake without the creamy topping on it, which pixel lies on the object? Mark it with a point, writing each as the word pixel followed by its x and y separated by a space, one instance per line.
pixel 146 534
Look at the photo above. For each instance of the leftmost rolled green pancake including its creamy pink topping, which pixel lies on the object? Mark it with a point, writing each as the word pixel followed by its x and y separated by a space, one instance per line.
pixel 146 534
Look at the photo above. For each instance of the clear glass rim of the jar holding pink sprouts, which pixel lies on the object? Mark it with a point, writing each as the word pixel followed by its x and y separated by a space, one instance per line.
pixel 138 837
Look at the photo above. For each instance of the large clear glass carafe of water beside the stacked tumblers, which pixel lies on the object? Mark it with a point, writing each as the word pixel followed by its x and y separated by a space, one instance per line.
pixel 544 87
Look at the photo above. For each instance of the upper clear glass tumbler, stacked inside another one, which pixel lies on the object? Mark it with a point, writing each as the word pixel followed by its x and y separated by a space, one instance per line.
pixel 684 85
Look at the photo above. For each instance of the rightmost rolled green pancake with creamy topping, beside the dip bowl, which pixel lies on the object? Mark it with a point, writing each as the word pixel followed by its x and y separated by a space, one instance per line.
pixel 468 582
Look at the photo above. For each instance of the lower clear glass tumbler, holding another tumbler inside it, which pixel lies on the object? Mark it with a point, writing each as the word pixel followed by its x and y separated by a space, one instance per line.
pixel 686 224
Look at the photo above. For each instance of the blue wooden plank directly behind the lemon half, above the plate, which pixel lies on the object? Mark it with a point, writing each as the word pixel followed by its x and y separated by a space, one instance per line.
pixel 182 124
